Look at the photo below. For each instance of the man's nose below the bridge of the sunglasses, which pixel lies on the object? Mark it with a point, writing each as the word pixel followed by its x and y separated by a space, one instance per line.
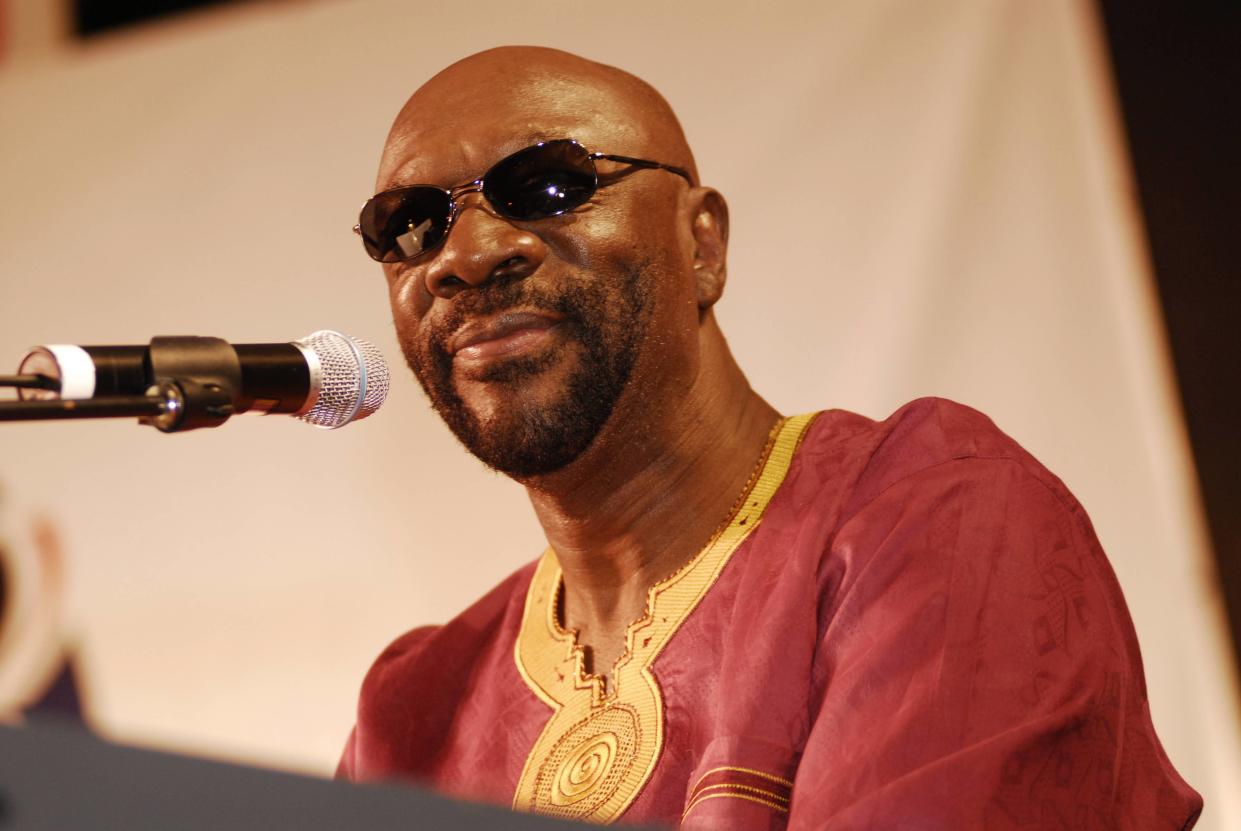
pixel 482 246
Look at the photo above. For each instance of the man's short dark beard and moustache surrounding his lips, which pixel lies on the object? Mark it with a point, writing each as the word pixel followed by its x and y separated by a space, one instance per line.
pixel 607 319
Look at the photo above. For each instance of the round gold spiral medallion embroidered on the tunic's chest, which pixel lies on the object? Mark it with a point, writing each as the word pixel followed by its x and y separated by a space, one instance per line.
pixel 589 763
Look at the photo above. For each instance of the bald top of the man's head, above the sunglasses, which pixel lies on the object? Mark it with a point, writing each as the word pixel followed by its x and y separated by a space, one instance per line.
pixel 519 95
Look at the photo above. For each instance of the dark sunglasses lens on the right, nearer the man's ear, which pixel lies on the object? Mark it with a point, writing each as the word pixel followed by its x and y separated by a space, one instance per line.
pixel 542 182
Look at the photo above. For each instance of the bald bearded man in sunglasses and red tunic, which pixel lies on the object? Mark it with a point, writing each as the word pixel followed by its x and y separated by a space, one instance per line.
pixel 743 621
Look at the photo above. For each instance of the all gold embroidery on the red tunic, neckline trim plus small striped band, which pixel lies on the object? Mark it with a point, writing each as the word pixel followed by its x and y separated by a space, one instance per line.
pixel 599 749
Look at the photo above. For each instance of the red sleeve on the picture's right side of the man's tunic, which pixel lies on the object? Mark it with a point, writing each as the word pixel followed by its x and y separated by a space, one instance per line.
pixel 981 670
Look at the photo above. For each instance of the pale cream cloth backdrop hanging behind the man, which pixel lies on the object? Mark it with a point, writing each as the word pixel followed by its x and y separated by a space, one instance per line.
pixel 928 199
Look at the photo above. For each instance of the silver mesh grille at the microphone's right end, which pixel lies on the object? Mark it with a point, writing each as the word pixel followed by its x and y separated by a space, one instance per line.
pixel 353 379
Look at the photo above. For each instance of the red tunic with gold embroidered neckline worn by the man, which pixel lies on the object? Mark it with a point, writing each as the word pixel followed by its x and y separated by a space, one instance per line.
pixel 919 632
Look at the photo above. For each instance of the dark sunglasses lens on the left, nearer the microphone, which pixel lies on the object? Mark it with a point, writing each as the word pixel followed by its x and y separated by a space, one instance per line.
pixel 403 224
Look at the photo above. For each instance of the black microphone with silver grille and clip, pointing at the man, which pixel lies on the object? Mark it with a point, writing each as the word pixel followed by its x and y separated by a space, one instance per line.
pixel 327 379
